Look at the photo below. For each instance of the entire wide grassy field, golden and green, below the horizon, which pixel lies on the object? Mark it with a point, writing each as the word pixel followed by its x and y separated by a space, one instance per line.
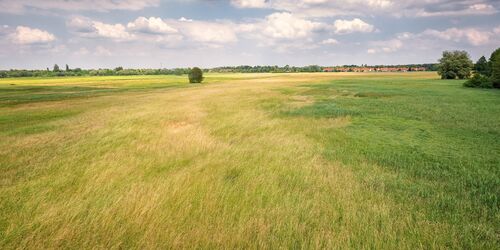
pixel 325 160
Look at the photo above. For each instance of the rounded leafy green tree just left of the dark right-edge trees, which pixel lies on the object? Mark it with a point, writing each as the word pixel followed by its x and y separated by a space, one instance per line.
pixel 455 64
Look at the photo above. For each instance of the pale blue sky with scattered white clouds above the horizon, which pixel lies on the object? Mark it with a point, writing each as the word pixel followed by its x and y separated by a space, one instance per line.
pixel 36 34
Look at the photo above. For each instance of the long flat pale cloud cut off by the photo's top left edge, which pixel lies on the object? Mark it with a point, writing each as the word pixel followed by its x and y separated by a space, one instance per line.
pixel 20 6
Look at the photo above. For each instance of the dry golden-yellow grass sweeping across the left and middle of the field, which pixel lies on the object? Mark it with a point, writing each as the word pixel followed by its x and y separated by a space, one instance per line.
pixel 209 166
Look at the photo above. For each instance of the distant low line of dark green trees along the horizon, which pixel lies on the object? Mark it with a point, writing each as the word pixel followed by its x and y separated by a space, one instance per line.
pixel 67 71
